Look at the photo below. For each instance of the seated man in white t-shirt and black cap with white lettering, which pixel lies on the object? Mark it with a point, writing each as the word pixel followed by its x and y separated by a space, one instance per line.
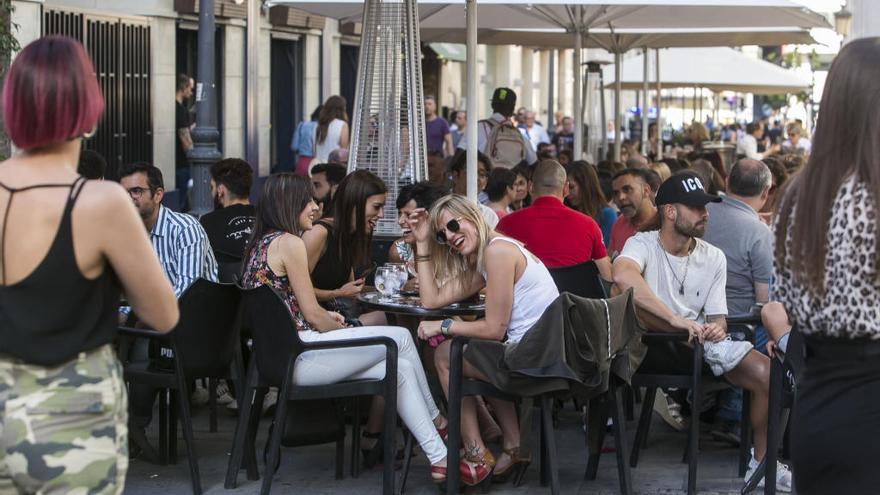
pixel 679 285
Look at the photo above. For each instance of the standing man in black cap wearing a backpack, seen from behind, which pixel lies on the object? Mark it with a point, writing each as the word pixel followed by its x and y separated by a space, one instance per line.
pixel 498 138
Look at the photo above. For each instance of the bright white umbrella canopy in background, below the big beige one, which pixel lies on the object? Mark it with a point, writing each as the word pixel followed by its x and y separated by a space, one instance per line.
pixel 718 69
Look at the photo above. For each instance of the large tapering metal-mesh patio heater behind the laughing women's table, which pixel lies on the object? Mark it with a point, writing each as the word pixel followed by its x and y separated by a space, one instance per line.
pixel 388 127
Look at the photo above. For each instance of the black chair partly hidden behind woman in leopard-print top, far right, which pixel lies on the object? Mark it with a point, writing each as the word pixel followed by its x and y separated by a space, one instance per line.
pixel 785 369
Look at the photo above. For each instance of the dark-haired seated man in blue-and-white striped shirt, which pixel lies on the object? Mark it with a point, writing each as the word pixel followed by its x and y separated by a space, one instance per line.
pixel 185 254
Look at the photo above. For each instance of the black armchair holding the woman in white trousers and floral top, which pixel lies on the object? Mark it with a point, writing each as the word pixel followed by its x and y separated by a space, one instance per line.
pixel 276 347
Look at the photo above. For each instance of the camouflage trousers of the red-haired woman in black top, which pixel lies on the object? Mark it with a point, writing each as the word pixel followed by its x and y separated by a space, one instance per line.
pixel 63 429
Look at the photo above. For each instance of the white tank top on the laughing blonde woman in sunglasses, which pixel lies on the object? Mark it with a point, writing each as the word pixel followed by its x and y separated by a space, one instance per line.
pixel 532 293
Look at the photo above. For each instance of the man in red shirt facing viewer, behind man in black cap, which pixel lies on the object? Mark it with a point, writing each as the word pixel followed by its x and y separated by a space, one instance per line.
pixel 632 195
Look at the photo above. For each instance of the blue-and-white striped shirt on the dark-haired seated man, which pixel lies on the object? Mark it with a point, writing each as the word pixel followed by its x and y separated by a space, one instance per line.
pixel 182 247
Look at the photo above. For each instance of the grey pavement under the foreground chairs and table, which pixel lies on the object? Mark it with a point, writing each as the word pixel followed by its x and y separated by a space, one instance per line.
pixel 309 470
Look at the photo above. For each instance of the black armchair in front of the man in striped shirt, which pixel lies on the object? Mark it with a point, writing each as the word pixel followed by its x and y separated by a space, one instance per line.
pixel 204 344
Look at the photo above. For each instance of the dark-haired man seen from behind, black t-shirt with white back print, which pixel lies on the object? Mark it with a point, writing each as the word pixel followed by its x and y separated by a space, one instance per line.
pixel 230 225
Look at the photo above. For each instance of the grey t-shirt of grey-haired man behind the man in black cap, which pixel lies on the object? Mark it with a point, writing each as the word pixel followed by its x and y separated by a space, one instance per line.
pixel 734 227
